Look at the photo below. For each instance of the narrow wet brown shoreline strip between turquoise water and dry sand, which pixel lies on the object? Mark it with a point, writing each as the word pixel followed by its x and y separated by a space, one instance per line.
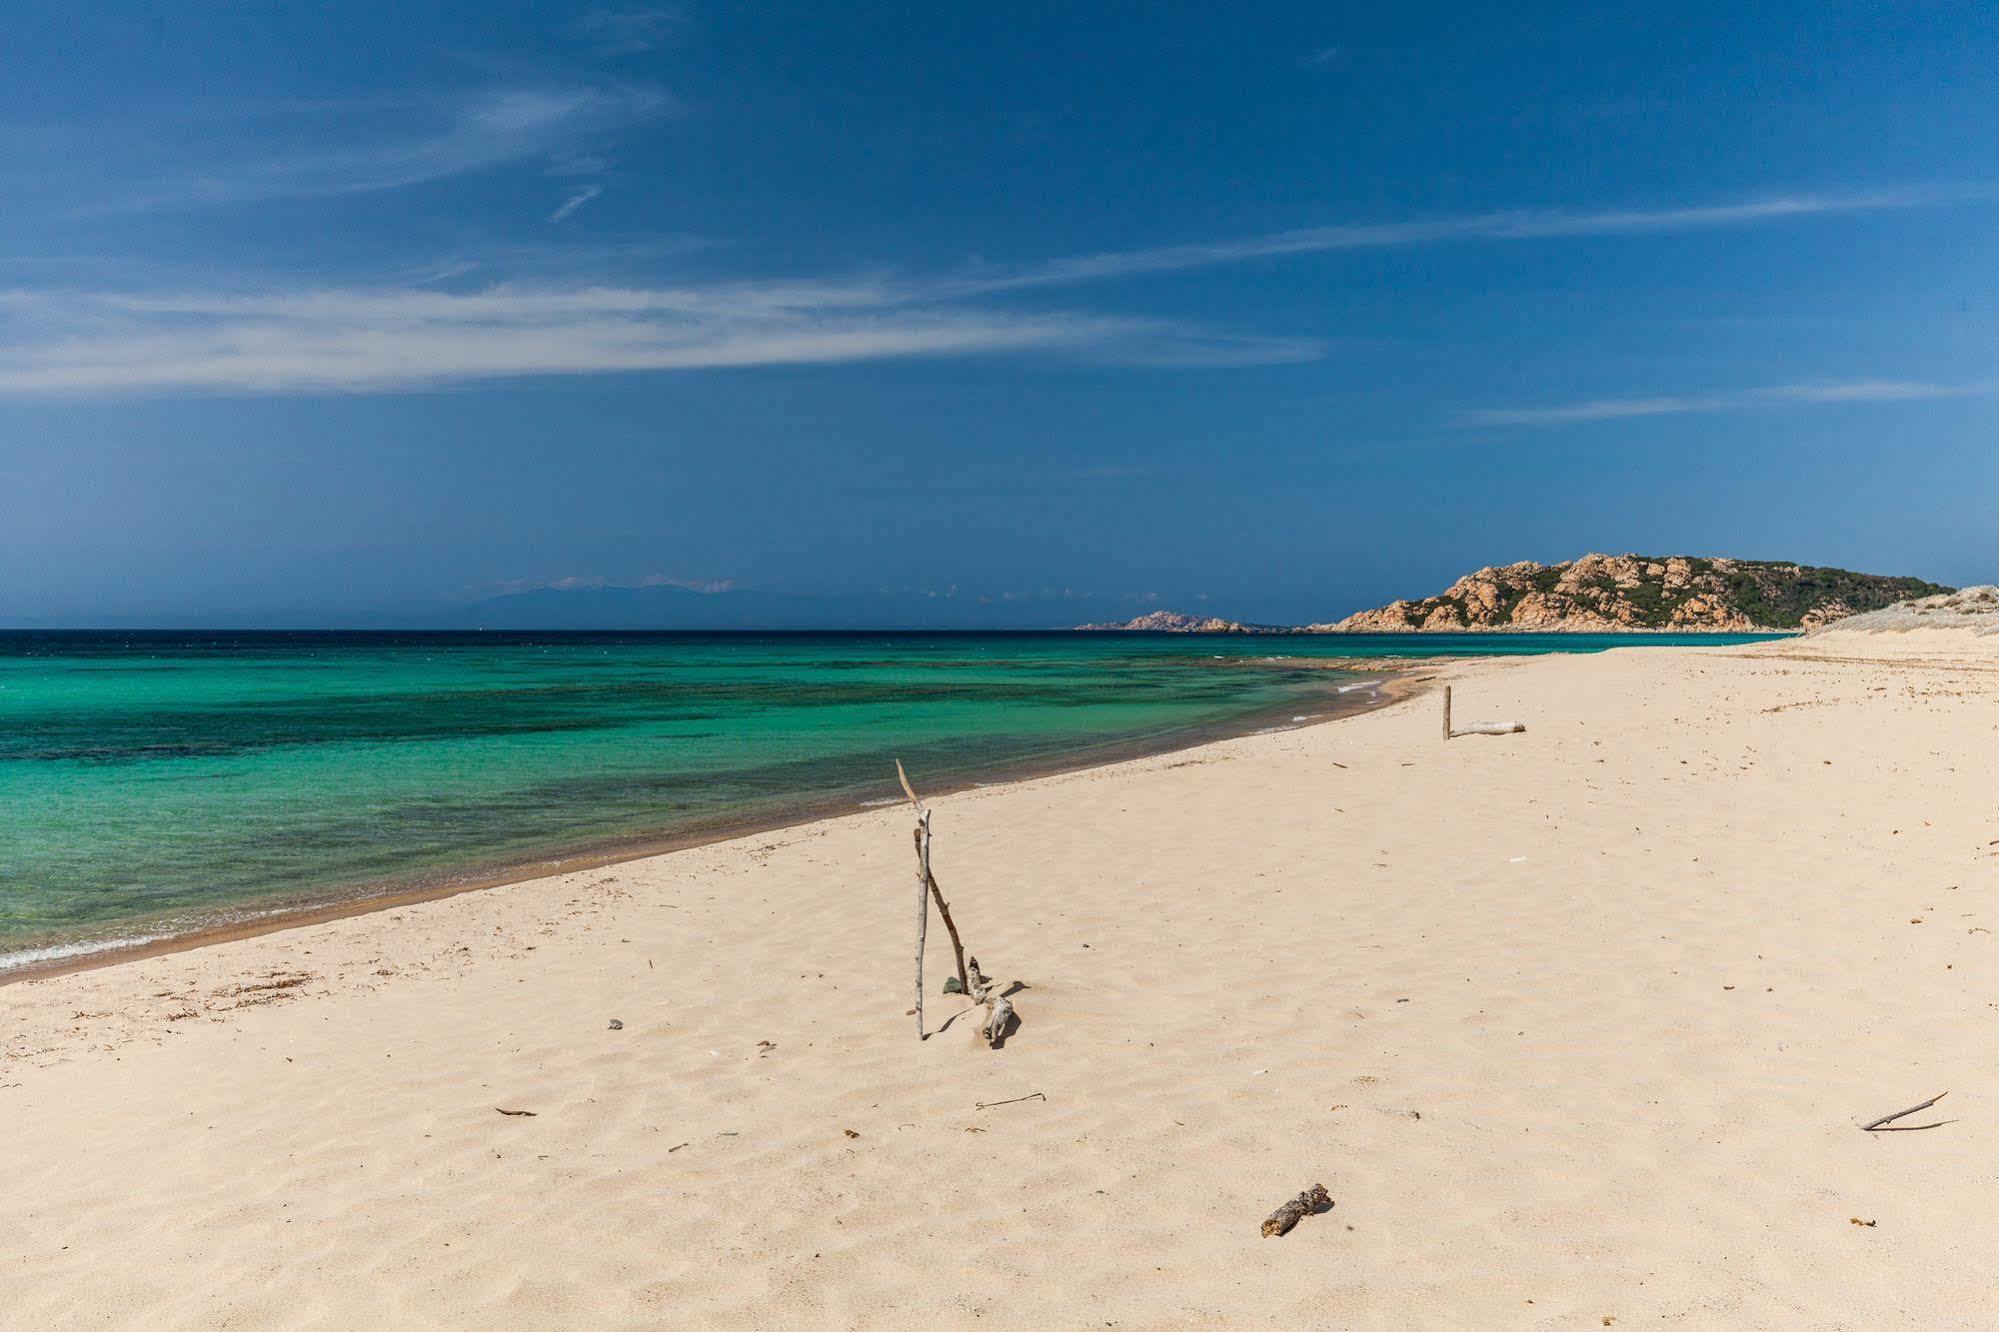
pixel 1400 679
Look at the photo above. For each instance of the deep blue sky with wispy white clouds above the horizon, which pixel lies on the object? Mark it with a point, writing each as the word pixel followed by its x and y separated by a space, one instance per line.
pixel 979 315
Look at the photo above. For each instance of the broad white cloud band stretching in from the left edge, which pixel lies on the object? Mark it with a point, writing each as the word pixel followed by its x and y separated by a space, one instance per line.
pixel 371 341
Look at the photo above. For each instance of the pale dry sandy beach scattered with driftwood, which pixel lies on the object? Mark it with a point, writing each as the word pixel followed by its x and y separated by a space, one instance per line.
pixel 1578 1029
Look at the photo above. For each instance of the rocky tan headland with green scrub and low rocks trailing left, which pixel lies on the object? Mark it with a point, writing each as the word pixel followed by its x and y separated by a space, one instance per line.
pixel 1606 595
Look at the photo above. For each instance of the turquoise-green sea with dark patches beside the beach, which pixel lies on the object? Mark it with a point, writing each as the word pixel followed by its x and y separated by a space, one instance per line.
pixel 165 783
